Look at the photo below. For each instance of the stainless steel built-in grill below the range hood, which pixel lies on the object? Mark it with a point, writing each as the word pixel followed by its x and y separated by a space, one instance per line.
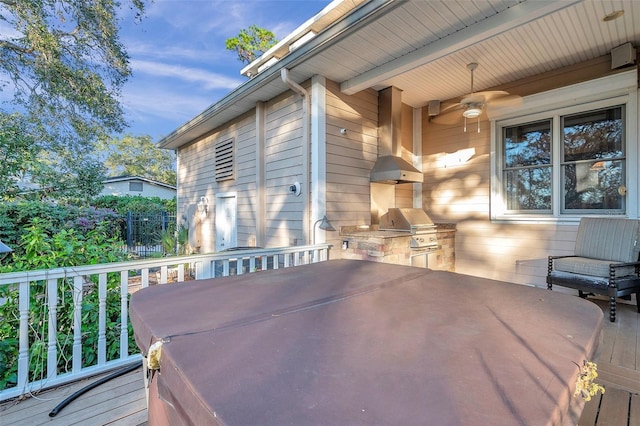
pixel 414 221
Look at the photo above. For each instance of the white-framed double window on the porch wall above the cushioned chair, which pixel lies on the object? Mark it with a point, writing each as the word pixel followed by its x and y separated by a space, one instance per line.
pixel 567 153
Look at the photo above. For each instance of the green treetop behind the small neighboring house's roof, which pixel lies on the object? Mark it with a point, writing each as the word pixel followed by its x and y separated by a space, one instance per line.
pixel 138 156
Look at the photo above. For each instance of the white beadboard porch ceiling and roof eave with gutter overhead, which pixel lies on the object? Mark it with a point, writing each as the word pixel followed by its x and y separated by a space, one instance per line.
pixel 423 47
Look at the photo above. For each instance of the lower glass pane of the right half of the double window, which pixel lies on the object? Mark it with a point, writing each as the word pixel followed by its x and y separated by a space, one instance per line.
pixel 593 185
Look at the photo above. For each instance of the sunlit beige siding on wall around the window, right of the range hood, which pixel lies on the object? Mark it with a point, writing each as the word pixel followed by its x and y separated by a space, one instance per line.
pixel 457 188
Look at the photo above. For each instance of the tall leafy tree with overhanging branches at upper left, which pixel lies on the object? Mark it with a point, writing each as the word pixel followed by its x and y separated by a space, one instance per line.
pixel 64 66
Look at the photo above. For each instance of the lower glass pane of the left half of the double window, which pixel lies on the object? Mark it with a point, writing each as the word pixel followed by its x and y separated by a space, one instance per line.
pixel 528 189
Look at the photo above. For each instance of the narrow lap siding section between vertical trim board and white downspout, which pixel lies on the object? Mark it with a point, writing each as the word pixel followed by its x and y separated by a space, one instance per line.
pixel 283 166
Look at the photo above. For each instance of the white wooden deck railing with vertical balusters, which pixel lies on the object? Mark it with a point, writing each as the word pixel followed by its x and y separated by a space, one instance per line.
pixel 144 273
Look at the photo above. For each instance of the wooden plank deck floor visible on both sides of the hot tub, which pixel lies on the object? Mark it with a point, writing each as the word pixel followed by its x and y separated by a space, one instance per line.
pixel 121 401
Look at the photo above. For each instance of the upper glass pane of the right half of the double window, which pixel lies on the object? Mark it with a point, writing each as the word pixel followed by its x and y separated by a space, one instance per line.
pixel 594 134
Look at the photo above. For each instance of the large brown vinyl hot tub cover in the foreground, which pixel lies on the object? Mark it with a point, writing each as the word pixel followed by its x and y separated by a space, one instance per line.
pixel 362 343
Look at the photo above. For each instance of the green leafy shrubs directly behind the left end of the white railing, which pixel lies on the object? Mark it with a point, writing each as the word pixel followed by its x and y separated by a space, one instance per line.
pixel 40 249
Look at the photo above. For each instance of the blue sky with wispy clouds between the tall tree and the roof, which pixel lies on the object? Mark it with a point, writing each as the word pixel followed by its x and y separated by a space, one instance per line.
pixel 178 56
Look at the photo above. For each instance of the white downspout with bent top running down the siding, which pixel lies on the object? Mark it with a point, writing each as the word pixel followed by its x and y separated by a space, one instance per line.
pixel 284 73
